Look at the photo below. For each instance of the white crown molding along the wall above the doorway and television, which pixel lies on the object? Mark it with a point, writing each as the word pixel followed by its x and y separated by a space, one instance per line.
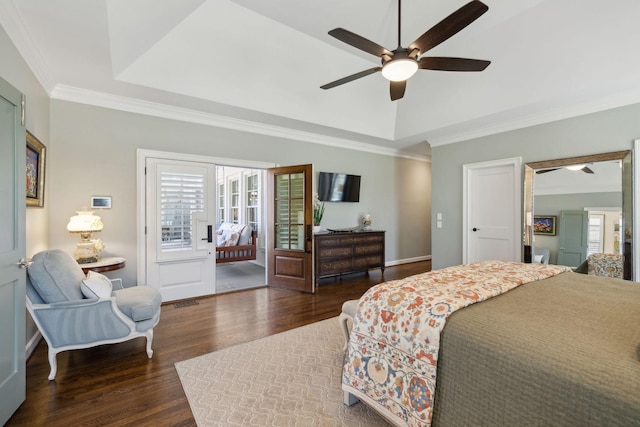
pixel 138 106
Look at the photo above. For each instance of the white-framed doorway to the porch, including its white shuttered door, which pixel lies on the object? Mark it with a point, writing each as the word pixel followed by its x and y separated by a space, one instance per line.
pixel 183 201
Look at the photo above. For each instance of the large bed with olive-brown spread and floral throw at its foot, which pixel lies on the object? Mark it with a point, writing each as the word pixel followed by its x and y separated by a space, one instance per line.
pixel 562 349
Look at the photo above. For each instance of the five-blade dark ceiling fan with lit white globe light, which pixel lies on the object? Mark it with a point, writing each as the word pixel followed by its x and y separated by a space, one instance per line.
pixel 400 64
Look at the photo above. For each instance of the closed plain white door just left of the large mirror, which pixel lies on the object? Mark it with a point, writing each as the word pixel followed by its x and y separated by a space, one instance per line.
pixel 492 211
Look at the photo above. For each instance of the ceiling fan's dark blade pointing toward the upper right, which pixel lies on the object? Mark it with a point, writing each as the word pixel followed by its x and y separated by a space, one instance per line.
pixel 449 26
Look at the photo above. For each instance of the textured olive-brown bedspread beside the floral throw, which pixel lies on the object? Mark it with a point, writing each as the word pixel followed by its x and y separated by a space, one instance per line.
pixel 563 351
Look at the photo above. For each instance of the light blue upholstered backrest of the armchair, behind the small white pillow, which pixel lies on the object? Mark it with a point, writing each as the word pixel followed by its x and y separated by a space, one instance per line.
pixel 56 276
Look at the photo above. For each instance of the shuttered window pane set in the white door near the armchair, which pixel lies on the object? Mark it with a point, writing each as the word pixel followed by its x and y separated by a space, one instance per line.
pixel 181 196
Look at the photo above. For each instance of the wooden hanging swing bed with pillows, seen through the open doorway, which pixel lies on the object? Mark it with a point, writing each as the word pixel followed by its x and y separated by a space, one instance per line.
pixel 235 242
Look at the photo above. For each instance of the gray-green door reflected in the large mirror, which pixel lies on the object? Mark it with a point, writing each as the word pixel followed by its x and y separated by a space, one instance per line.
pixel 573 238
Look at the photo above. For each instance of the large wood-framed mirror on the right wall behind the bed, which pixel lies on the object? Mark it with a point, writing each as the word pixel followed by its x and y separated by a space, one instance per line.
pixel 569 214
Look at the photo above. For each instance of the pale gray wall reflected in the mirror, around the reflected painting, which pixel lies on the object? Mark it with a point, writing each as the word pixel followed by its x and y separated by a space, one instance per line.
pixel 555 204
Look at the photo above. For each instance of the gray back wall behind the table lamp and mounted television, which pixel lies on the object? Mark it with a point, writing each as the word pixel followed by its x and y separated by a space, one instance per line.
pixel 96 155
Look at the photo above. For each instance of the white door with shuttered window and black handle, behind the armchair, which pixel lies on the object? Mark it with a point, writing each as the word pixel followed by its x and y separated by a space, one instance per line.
pixel 180 209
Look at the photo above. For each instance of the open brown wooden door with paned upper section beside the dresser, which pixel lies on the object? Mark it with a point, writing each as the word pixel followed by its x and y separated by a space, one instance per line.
pixel 290 216
